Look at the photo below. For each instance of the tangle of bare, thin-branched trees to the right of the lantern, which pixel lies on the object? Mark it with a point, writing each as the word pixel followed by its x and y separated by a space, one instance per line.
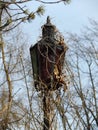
pixel 83 63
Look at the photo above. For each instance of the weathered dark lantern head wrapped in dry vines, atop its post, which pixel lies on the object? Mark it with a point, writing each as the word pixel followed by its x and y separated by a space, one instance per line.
pixel 47 57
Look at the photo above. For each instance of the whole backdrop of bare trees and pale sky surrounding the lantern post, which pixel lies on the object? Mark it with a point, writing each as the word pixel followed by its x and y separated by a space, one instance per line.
pixel 20 105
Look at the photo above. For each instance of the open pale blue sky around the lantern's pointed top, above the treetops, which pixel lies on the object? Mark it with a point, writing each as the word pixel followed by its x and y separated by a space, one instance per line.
pixel 67 18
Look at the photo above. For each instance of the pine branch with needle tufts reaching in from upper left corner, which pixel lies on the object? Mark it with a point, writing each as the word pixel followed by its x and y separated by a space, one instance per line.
pixel 16 12
